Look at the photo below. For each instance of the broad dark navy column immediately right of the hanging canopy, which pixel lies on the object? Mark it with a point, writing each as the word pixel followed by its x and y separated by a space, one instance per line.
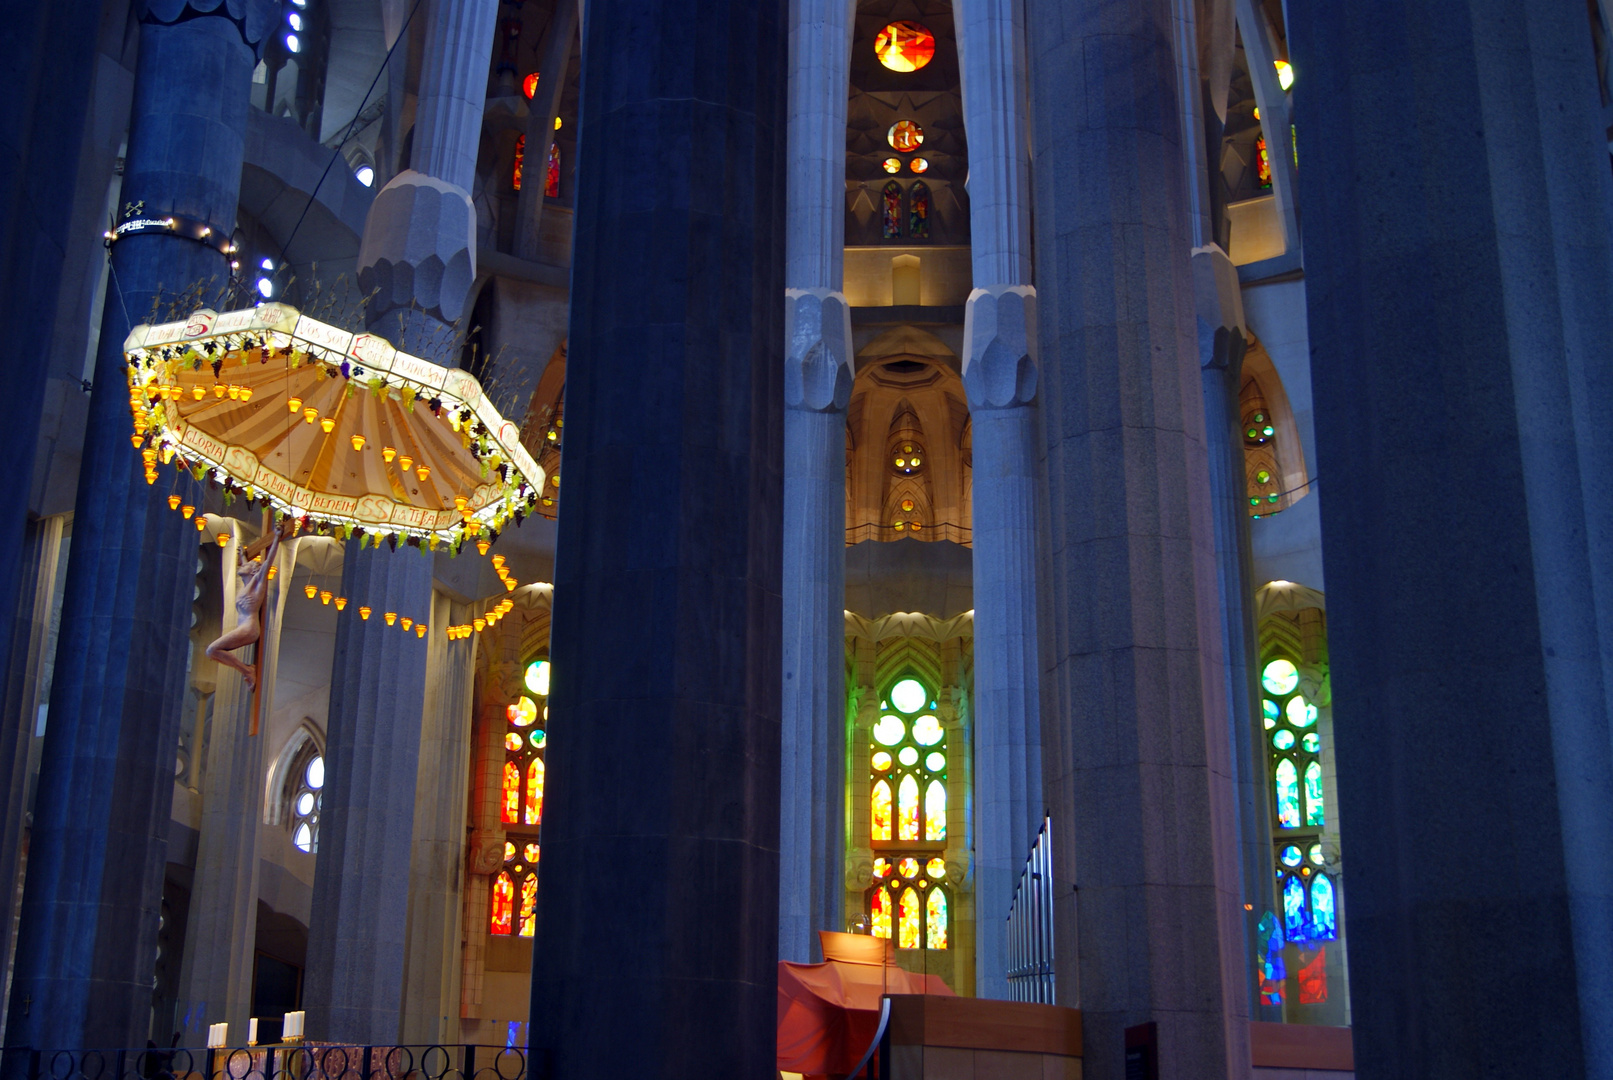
pixel 659 900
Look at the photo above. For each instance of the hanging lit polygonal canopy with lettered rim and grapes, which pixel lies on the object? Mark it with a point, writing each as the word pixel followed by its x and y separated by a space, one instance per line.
pixel 333 428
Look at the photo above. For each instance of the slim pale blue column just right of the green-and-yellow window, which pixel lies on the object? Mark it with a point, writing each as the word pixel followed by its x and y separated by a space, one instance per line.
pixel 1001 381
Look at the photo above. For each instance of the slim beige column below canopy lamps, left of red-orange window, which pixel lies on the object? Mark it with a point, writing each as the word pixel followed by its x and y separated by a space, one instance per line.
pixel 431 992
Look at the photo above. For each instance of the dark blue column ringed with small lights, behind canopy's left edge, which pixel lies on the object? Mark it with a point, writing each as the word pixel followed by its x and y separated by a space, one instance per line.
pixel 101 828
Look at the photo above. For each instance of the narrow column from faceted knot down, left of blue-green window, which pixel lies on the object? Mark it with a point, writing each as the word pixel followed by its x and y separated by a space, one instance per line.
pixel 1219 304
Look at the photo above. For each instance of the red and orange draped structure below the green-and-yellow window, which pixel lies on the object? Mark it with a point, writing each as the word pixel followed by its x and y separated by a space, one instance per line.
pixel 828 1013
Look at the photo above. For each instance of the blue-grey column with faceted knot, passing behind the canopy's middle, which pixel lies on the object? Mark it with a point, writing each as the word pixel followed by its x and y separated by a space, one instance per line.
pixel 420 257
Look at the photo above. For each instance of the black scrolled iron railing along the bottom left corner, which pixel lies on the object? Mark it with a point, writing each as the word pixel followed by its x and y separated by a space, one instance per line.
pixel 301 1061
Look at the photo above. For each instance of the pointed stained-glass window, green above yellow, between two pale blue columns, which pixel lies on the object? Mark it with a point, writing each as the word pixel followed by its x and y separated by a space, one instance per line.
pixel 911 897
